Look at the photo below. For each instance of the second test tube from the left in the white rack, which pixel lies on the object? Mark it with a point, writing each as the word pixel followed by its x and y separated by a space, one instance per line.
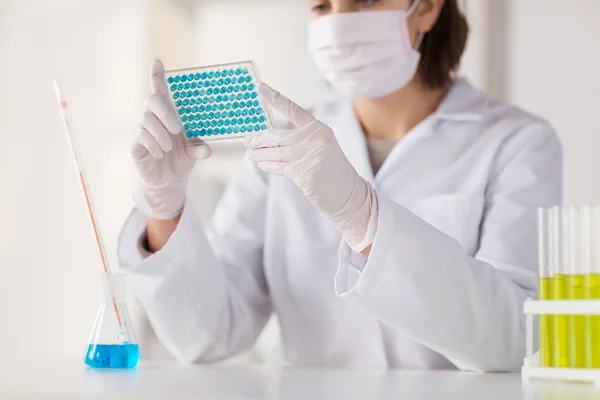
pixel 561 321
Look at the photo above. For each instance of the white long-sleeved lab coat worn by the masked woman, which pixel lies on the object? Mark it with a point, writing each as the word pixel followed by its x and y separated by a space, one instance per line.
pixel 453 260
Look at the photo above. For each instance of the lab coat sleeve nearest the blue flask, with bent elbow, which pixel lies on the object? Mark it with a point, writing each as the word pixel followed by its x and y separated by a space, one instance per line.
pixel 205 292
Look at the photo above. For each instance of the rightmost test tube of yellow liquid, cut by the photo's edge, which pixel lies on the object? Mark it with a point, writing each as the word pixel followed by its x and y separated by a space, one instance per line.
pixel 592 287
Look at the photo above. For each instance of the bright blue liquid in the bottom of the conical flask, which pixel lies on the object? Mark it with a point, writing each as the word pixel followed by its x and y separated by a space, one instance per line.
pixel 112 355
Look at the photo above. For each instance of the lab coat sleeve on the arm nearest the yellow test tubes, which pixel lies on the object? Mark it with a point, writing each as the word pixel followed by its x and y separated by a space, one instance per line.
pixel 469 309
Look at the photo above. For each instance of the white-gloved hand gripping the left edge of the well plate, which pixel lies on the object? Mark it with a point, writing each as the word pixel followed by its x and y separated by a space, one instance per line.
pixel 162 162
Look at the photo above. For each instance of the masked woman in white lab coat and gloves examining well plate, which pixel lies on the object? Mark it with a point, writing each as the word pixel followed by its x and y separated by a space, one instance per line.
pixel 394 228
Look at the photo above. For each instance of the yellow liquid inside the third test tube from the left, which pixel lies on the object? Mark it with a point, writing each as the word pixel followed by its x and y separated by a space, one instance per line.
pixel 577 329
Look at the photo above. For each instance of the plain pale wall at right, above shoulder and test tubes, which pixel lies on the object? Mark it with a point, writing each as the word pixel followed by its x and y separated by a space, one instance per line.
pixel 553 70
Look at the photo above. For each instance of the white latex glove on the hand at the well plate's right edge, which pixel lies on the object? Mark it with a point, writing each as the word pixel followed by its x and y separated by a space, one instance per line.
pixel 311 156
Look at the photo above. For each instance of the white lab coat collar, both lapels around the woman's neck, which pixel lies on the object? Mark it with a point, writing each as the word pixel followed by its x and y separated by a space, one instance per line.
pixel 463 103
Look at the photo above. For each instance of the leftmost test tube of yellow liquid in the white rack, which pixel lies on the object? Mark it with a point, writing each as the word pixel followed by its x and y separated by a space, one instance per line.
pixel 545 285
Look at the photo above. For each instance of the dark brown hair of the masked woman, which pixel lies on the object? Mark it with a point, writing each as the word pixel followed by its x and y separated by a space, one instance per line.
pixel 443 46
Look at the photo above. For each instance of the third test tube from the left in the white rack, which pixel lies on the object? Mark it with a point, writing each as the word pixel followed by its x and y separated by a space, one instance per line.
pixel 576 288
